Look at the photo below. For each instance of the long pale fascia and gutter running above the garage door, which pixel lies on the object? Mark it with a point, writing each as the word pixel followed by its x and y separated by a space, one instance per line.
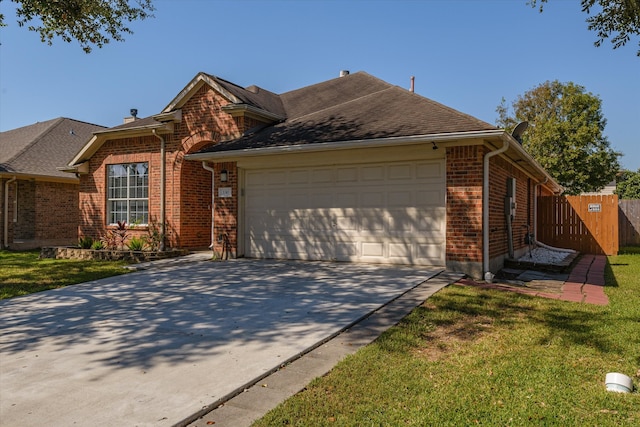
pixel 346 145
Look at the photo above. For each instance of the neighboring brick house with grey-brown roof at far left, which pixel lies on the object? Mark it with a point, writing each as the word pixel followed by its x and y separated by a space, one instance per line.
pixel 39 203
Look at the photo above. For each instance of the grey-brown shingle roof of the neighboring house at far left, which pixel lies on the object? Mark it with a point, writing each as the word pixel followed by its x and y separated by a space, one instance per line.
pixel 40 148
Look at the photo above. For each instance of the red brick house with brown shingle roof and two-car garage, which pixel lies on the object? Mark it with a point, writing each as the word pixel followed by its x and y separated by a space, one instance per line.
pixel 350 169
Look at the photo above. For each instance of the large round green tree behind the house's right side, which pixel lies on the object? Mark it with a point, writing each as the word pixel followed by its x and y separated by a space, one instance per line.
pixel 564 134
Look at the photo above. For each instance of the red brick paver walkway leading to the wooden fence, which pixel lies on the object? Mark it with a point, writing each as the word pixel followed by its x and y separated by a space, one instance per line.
pixel 585 283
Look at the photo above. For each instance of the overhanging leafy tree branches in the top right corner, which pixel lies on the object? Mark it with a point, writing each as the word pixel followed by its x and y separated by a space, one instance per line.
pixel 618 19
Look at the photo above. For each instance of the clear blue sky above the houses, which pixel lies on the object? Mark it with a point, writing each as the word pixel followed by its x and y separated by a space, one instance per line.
pixel 466 54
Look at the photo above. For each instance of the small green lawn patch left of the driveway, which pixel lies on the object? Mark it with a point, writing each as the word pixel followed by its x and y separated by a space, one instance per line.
pixel 22 273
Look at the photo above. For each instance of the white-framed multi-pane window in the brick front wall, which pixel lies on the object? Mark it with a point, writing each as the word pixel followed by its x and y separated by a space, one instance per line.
pixel 128 193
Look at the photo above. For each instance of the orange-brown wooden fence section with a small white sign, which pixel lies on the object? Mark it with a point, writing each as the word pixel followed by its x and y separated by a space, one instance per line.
pixel 588 224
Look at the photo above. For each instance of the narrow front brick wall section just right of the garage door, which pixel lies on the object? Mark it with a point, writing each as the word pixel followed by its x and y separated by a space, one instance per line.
pixel 464 203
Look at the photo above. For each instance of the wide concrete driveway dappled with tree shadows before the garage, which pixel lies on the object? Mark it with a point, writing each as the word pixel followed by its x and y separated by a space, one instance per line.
pixel 153 347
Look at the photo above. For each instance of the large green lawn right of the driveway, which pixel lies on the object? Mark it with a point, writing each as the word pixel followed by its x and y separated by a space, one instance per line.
pixel 477 357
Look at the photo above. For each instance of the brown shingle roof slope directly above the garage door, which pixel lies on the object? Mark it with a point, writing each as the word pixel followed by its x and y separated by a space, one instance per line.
pixel 355 107
